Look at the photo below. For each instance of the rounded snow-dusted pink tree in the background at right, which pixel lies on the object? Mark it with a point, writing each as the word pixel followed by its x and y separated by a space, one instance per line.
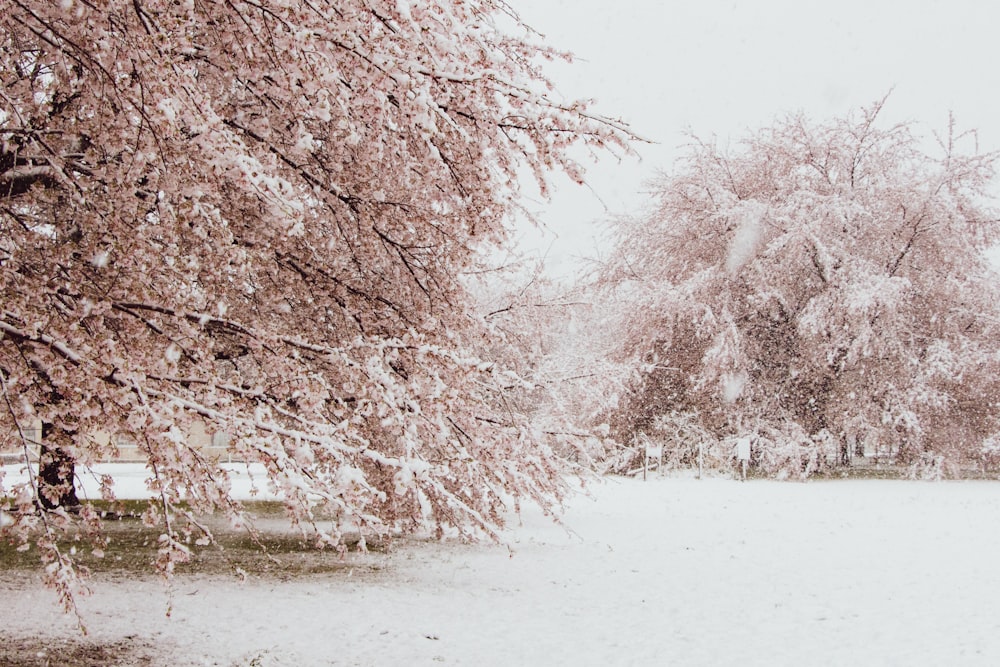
pixel 824 287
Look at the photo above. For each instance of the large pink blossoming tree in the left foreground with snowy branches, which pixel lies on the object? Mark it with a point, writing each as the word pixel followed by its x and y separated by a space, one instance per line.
pixel 258 215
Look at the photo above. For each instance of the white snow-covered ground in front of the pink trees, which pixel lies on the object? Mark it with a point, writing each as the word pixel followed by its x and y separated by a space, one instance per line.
pixel 673 571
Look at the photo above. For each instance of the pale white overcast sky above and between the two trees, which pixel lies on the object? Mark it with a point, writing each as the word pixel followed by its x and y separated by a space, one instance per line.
pixel 724 67
